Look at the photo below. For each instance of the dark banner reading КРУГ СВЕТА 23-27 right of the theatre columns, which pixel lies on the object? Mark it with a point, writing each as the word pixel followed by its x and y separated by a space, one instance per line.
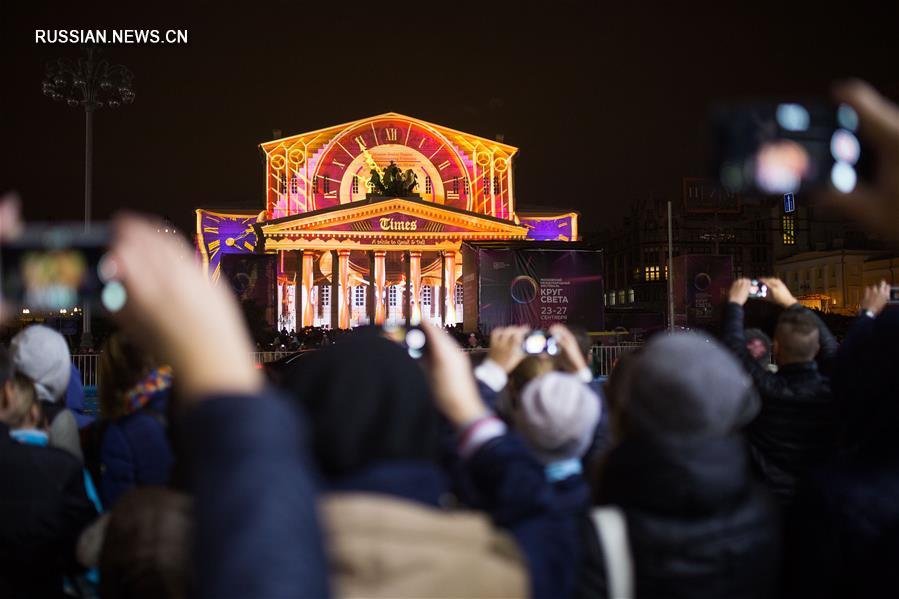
pixel 539 288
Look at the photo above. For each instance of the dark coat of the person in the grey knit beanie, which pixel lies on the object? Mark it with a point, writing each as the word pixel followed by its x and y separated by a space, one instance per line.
pixel 697 523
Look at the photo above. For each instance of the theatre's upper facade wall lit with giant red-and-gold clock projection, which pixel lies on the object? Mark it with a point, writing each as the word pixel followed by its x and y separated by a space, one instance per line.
pixel 318 171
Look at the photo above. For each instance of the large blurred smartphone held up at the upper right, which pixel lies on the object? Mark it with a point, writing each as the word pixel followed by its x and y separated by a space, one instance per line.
pixel 782 147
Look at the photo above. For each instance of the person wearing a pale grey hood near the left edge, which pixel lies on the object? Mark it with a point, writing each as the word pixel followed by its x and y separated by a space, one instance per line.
pixel 43 355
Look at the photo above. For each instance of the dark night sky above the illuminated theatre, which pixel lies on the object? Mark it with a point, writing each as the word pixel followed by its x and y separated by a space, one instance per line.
pixel 607 101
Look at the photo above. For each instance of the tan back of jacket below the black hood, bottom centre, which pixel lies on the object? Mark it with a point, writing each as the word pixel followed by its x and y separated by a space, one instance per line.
pixel 382 546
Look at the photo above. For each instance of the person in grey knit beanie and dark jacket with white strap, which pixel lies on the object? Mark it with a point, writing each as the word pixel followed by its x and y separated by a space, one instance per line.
pixel 695 523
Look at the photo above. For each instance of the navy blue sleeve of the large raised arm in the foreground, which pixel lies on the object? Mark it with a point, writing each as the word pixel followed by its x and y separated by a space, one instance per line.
pixel 257 531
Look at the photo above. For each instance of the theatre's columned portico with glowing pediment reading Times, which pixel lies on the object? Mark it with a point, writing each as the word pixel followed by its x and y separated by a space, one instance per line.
pixel 387 260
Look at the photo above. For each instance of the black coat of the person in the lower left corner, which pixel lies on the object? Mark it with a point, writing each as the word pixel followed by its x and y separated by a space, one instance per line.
pixel 43 508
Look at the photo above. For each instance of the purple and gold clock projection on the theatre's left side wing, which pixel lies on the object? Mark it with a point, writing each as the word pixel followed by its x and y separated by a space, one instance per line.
pixel 221 233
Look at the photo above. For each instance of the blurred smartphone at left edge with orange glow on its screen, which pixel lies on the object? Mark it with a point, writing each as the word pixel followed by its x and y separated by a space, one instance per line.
pixel 50 268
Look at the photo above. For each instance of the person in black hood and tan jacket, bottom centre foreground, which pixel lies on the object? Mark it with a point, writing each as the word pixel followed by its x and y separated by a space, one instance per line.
pixel 377 440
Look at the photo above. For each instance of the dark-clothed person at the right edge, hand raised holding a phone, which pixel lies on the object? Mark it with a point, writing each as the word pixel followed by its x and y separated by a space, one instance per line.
pixel 846 537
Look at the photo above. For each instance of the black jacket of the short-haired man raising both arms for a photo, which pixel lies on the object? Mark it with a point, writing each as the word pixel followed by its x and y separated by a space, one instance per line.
pixel 798 425
